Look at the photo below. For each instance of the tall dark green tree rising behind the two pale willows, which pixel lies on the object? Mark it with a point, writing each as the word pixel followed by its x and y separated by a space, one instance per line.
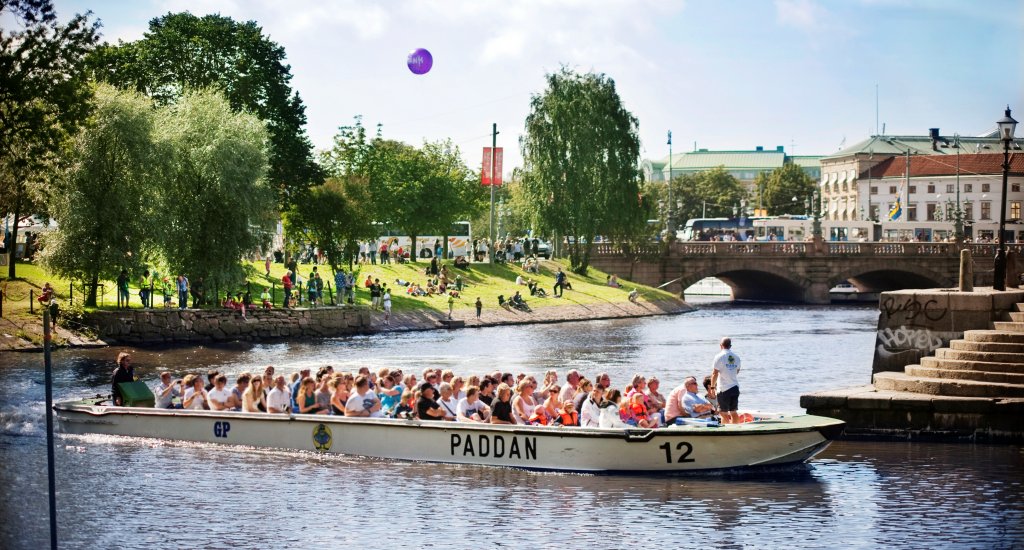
pixel 182 52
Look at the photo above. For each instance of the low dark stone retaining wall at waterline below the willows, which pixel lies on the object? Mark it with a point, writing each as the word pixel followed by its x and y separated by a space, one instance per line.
pixel 167 326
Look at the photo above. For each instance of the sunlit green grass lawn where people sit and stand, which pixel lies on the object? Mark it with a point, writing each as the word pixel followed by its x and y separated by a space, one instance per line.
pixel 482 280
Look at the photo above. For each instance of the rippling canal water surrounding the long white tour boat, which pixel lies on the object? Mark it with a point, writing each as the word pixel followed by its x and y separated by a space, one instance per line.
pixel 120 492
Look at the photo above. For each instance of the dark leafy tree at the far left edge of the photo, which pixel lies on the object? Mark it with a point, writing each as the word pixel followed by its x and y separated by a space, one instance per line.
pixel 44 99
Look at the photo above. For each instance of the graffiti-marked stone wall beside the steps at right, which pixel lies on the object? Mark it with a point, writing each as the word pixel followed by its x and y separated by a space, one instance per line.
pixel 913 324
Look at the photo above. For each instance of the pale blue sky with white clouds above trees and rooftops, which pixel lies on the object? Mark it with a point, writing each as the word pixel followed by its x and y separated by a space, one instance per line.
pixel 719 74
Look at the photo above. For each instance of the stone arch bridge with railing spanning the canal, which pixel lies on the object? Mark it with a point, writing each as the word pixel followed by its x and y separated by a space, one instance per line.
pixel 796 272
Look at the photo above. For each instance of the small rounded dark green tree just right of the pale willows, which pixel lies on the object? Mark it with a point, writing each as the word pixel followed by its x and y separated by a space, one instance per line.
pixel 334 218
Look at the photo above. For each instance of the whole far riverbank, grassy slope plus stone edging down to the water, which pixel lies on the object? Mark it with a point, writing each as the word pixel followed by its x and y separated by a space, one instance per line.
pixel 590 299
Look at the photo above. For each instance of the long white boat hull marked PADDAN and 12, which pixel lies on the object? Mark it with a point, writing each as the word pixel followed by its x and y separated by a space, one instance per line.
pixel 773 442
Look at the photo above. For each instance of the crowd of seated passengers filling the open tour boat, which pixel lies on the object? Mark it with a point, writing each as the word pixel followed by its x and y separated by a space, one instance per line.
pixel 497 399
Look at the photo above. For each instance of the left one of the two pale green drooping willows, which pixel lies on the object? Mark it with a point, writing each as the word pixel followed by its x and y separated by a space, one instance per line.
pixel 103 199
